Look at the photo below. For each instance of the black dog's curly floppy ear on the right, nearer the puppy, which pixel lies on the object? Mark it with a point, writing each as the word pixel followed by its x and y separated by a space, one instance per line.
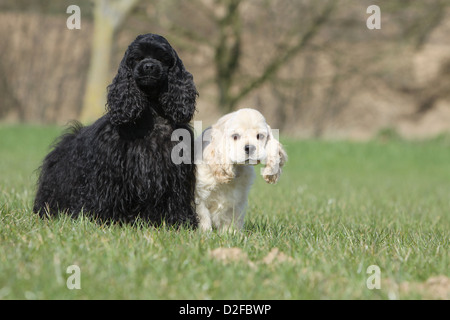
pixel 178 102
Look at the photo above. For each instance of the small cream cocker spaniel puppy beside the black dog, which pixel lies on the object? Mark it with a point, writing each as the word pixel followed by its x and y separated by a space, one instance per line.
pixel 229 150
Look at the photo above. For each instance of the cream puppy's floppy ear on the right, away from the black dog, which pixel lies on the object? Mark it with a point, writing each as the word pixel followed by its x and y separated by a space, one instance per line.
pixel 275 160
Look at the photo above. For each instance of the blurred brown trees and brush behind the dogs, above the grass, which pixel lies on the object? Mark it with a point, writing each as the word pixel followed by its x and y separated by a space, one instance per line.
pixel 312 67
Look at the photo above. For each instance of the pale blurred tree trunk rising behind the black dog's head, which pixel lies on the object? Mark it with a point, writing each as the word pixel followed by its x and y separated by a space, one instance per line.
pixel 108 17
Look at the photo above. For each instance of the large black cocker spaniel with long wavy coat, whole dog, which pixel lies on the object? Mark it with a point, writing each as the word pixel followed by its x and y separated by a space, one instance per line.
pixel 120 167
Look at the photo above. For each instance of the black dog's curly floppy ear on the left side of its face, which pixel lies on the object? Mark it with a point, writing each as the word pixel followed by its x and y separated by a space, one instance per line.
pixel 125 102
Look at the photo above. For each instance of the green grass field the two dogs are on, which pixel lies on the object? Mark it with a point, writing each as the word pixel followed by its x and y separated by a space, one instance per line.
pixel 339 208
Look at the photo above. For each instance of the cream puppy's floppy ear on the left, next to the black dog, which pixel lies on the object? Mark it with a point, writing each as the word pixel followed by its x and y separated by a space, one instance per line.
pixel 214 155
